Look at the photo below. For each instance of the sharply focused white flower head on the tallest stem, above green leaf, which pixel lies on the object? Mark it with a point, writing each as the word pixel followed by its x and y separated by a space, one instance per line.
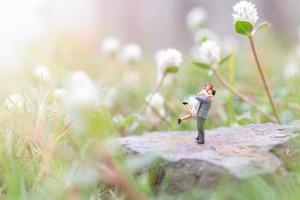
pixel 245 11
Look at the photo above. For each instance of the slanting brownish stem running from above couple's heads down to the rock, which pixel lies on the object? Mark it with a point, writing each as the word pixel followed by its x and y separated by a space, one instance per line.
pixel 238 94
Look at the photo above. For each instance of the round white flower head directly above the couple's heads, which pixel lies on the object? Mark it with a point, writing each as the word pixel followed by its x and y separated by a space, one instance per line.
pixel 209 52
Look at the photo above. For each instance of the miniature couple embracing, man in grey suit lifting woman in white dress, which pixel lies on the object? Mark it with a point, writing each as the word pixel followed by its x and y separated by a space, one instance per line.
pixel 200 109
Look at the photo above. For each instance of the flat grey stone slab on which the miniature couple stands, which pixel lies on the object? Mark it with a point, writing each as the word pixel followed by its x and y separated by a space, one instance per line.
pixel 239 152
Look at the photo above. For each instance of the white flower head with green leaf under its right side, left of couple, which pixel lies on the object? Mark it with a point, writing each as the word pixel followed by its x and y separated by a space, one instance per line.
pixel 167 58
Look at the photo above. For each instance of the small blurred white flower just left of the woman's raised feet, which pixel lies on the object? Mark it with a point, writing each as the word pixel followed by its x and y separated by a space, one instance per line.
pixel 156 108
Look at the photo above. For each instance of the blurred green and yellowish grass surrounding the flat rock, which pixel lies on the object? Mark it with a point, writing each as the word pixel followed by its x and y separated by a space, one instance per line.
pixel 43 157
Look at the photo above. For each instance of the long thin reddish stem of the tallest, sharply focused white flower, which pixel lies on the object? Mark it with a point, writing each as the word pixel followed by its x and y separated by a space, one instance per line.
pixel 263 78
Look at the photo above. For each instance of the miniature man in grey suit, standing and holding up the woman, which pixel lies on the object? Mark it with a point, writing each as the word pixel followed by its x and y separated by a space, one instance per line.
pixel 205 104
